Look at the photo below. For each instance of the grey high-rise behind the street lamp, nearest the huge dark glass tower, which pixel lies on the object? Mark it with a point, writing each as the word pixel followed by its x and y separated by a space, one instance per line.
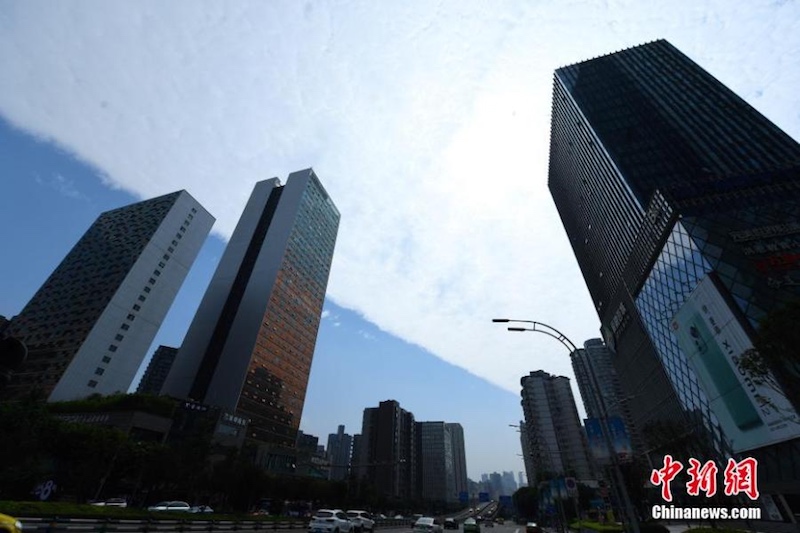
pixel 594 365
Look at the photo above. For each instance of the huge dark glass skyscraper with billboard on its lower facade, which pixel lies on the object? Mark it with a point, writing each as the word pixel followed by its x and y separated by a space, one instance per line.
pixel 682 205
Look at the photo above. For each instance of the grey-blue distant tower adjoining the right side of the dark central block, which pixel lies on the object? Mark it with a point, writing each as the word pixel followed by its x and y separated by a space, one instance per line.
pixel 435 465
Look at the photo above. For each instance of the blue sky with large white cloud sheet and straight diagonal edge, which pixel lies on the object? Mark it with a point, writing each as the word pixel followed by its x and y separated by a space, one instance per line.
pixel 426 121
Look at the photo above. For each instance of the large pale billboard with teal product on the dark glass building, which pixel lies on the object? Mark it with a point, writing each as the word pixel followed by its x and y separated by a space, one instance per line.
pixel 712 339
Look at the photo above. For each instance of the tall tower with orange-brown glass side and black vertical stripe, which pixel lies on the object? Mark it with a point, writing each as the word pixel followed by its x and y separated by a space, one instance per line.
pixel 250 345
